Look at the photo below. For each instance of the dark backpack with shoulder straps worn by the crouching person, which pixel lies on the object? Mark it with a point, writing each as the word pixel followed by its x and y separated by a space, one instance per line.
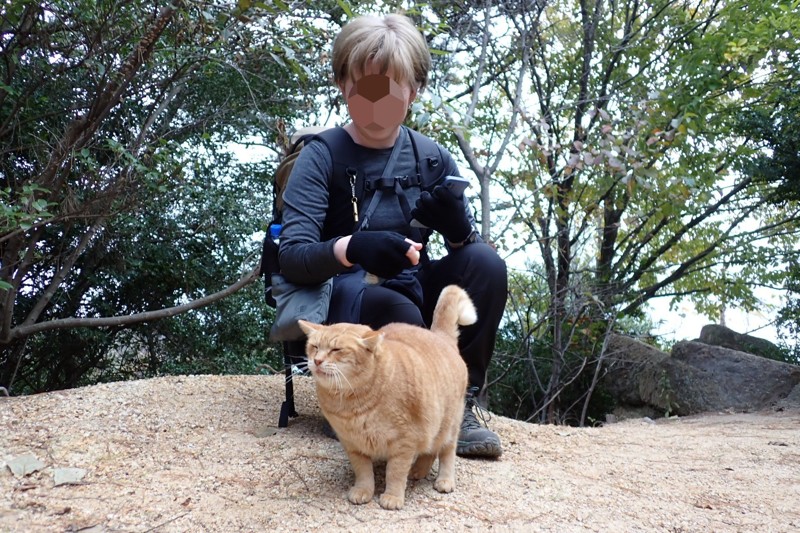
pixel 429 171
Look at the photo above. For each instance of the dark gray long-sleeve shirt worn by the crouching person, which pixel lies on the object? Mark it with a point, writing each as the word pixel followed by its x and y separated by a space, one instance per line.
pixel 304 256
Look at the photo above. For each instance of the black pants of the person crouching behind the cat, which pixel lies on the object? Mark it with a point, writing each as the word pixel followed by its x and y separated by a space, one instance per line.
pixel 477 269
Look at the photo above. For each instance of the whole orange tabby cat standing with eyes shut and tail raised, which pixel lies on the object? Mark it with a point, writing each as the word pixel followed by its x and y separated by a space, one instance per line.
pixel 396 394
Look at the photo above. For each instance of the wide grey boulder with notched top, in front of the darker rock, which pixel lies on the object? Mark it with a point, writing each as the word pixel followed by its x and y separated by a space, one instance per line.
pixel 695 378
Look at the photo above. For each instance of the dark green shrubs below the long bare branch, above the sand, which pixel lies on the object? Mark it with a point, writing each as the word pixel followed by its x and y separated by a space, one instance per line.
pixel 225 338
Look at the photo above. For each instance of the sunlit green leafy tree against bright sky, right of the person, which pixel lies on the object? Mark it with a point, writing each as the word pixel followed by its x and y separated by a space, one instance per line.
pixel 626 172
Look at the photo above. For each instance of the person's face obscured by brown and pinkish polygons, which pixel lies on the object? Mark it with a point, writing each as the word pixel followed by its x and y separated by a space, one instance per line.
pixel 377 105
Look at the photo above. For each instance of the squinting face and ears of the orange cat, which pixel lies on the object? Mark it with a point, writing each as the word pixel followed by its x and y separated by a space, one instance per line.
pixel 339 353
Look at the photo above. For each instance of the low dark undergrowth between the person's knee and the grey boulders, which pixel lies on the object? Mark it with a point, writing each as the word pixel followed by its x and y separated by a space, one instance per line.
pixel 527 382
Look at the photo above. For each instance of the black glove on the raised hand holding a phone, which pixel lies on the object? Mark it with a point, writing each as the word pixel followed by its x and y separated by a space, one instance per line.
pixel 444 212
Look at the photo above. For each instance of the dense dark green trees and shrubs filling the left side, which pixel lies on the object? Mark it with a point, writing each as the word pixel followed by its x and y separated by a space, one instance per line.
pixel 120 192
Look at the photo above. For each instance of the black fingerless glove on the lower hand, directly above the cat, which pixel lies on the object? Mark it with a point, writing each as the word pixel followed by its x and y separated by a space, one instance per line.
pixel 382 253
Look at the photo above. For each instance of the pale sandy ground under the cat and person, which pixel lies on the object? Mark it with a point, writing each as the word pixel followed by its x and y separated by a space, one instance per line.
pixel 203 453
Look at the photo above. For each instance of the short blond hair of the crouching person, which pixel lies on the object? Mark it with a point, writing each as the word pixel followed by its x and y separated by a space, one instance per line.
pixel 391 42
